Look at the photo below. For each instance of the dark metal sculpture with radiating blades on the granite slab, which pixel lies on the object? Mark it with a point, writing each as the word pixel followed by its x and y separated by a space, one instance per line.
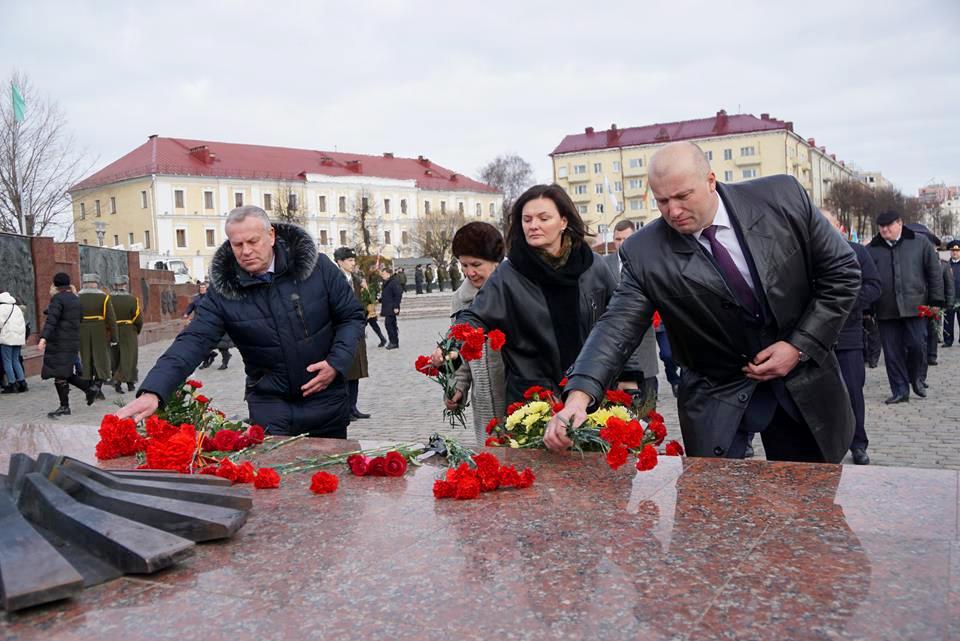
pixel 65 525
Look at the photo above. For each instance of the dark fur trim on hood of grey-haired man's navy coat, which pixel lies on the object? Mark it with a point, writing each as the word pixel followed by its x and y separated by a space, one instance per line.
pixel 296 256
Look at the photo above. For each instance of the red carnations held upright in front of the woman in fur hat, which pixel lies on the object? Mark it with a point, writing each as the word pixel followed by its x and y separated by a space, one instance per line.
pixel 462 344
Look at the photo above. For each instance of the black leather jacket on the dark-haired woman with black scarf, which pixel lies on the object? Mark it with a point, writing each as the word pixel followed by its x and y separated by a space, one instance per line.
pixel 514 304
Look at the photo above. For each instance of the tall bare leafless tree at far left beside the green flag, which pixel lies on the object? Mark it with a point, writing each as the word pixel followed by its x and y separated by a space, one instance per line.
pixel 39 162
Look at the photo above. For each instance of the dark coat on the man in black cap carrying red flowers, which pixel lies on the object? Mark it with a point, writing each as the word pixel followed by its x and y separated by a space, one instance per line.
pixel 910 275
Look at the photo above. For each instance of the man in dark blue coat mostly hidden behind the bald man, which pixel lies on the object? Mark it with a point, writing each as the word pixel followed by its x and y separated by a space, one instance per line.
pixel 851 345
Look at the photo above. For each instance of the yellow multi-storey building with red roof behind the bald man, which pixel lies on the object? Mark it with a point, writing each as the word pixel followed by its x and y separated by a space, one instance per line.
pixel 605 172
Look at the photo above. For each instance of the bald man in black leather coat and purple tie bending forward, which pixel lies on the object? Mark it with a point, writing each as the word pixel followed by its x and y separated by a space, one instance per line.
pixel 753 285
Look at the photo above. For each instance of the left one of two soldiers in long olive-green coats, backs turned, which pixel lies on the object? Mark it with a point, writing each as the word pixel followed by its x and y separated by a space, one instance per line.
pixel 98 330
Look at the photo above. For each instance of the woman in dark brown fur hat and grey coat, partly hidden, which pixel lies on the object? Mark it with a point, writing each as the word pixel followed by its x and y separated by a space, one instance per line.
pixel 479 249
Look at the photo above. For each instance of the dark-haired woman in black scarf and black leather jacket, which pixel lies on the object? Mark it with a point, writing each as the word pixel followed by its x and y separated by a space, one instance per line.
pixel 549 271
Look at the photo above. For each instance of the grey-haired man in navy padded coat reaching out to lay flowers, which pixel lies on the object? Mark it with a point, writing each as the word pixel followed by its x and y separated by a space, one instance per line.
pixel 293 318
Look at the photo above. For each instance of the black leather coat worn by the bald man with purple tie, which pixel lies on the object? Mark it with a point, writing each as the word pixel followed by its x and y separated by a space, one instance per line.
pixel 809 279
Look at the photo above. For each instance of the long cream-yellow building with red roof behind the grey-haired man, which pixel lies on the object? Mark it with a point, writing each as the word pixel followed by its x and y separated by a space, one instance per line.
pixel 169 197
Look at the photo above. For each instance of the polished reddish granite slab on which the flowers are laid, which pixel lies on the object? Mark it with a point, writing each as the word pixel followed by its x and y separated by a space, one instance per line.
pixel 694 549
